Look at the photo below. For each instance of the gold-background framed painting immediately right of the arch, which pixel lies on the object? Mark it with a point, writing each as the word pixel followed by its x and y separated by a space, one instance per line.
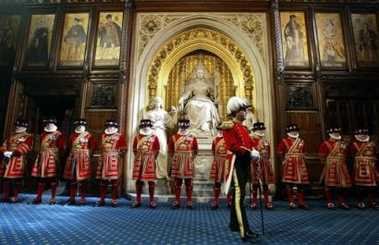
pixel 294 39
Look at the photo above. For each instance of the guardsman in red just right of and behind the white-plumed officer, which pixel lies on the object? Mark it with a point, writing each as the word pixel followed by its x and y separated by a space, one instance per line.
pixel 261 170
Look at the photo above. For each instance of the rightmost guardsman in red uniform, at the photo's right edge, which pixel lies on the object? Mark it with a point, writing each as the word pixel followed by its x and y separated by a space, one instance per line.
pixel 366 175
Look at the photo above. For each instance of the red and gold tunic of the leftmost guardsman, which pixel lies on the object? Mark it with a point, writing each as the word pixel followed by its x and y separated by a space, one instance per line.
pixel 20 144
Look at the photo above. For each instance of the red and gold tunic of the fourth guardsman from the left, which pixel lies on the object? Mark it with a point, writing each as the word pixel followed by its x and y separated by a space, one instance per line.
pixel 109 165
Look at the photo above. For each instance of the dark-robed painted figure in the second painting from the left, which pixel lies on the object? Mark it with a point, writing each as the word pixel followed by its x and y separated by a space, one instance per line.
pixel 38 49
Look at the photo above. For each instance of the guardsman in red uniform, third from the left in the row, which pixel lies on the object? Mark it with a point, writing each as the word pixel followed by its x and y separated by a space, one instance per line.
pixel 78 165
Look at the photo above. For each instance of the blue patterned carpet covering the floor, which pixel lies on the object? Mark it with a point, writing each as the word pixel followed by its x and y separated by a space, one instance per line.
pixel 43 224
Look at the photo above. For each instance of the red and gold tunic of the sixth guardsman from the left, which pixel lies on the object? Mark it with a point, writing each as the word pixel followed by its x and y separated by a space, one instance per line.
pixel 183 149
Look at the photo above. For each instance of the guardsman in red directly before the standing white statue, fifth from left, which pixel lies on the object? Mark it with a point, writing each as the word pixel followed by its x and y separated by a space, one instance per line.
pixel 146 150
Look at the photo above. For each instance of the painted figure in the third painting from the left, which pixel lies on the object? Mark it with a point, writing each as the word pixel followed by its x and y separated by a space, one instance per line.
pixel 75 38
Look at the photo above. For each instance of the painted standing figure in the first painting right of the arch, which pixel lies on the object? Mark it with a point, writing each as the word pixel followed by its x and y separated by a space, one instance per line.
pixel 294 41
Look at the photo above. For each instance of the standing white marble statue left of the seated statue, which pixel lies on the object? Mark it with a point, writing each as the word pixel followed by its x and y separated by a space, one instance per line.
pixel 161 122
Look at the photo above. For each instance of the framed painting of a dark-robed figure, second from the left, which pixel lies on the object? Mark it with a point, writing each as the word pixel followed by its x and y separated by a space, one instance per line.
pixel 39 40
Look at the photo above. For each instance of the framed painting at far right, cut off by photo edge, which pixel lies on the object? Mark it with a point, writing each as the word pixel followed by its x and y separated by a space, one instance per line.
pixel 366 39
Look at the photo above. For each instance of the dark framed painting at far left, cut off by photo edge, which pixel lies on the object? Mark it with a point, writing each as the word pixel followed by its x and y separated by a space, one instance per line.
pixel 9 28
